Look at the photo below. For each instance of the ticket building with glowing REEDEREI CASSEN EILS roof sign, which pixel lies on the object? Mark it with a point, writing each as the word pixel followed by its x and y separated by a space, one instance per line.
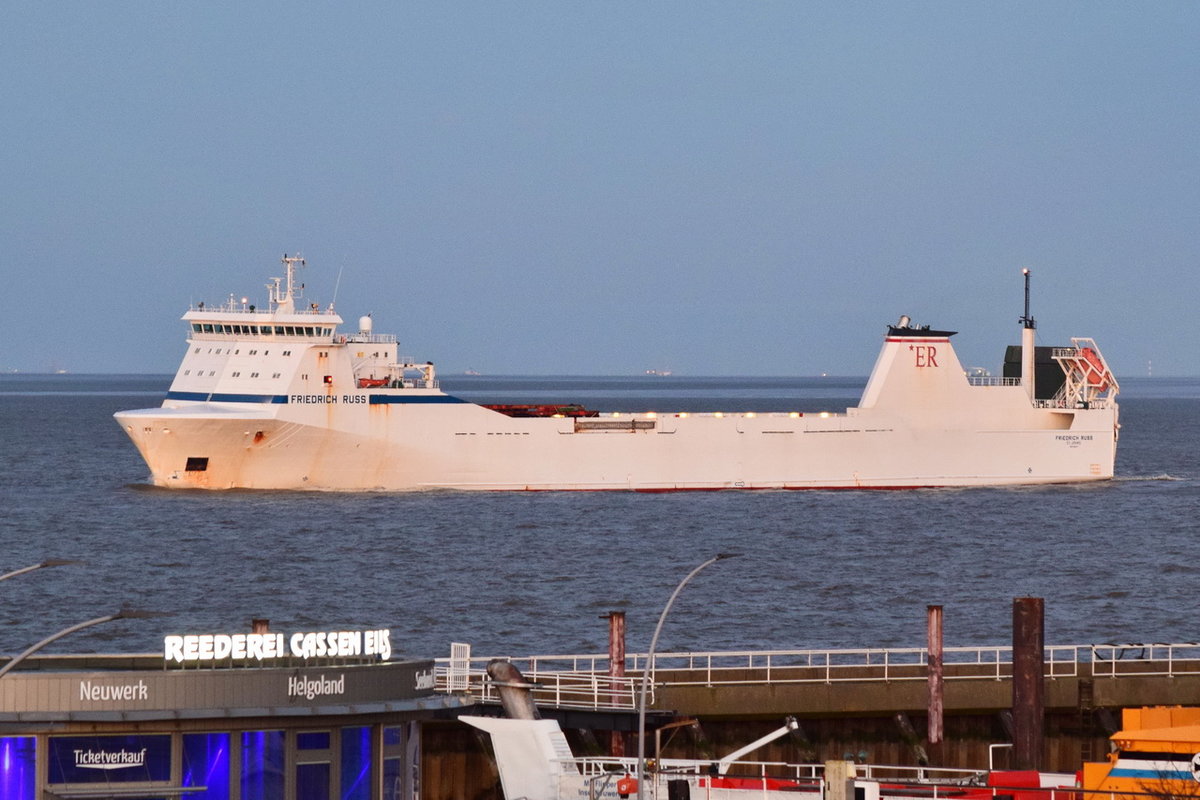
pixel 247 717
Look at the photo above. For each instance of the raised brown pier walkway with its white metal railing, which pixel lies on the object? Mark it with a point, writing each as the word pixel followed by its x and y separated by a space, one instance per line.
pixel 865 682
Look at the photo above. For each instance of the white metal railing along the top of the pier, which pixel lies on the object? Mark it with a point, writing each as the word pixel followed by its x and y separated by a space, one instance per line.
pixel 584 682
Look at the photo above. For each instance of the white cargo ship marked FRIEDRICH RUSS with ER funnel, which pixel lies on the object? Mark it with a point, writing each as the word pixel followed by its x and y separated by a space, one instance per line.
pixel 280 399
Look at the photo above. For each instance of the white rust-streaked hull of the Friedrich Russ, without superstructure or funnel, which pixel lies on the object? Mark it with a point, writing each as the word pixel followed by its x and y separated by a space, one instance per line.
pixel 465 447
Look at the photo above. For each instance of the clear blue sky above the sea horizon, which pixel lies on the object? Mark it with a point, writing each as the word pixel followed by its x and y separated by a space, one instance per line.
pixel 603 189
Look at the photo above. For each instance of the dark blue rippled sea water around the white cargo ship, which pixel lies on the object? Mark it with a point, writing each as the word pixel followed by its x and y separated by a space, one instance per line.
pixel 521 574
